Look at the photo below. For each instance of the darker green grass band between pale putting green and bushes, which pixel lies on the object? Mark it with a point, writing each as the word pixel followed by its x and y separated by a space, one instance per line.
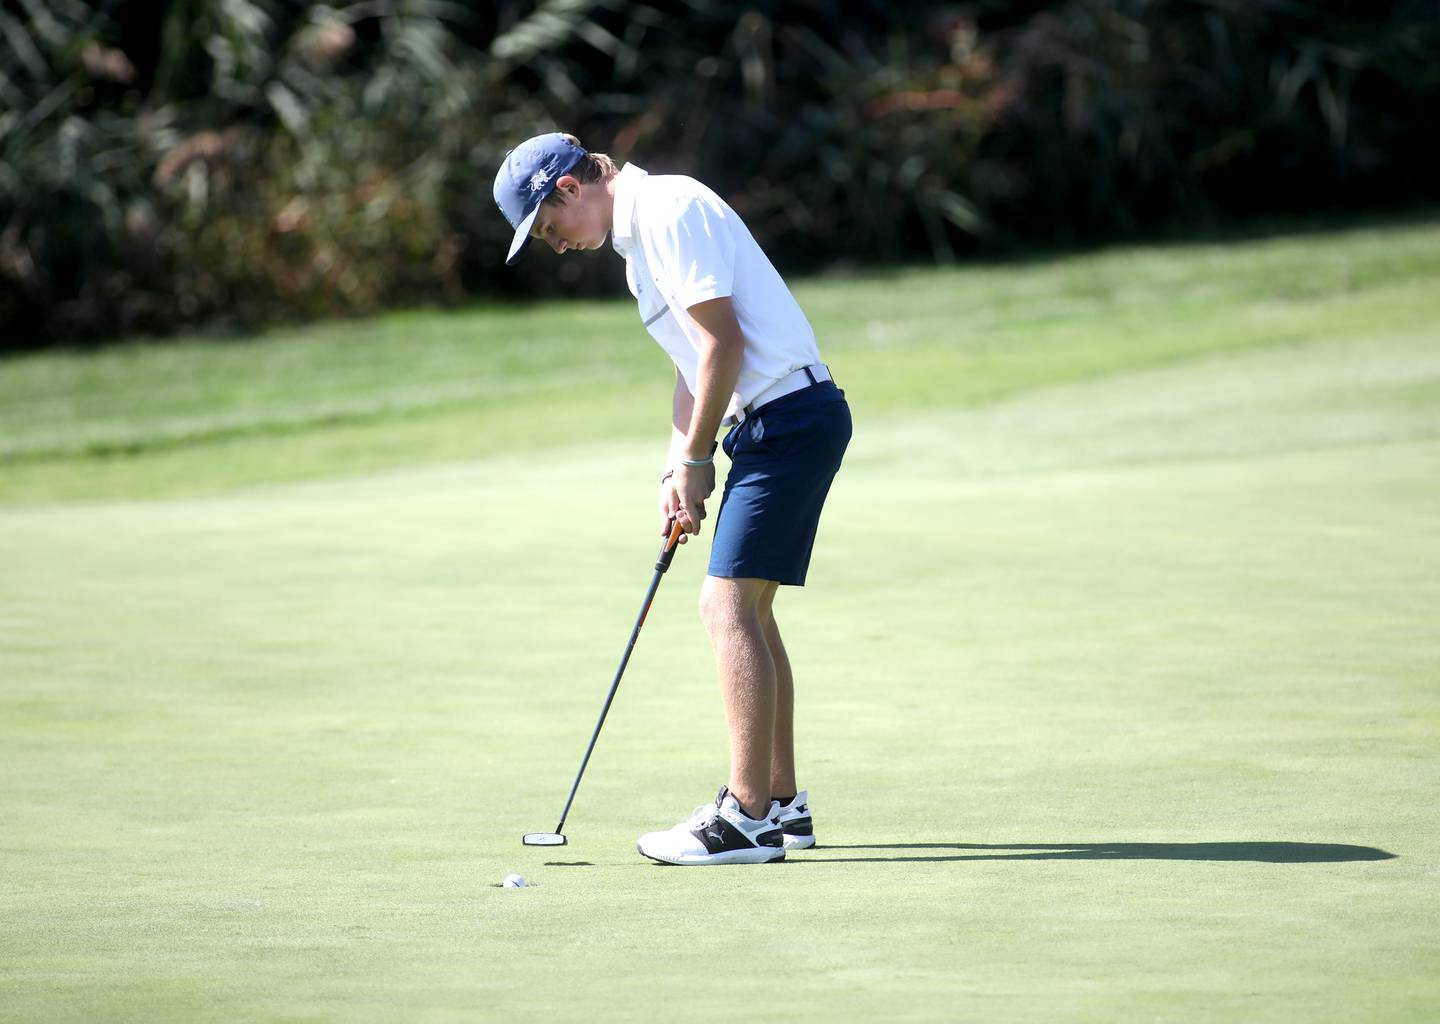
pixel 915 338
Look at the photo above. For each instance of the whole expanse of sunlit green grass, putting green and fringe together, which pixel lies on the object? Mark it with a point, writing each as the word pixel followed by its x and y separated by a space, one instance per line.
pixel 1118 669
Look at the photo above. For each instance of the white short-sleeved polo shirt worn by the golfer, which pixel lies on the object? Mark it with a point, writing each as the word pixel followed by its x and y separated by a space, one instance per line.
pixel 685 246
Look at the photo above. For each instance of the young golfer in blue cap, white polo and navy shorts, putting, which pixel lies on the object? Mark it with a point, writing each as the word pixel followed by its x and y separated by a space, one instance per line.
pixel 745 356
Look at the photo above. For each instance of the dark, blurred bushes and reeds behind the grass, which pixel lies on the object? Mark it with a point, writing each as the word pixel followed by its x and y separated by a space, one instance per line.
pixel 238 162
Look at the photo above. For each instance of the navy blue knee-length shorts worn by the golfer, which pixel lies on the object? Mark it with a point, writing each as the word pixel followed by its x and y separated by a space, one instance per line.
pixel 783 462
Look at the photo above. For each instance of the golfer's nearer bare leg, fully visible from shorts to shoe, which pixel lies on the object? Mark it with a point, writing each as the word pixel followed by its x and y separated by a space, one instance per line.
pixel 732 613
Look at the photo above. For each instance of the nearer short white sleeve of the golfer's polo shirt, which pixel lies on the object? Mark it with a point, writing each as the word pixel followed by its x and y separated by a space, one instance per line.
pixel 692 248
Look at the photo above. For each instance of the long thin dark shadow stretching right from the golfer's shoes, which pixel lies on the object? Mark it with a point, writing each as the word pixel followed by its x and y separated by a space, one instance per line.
pixel 1261 853
